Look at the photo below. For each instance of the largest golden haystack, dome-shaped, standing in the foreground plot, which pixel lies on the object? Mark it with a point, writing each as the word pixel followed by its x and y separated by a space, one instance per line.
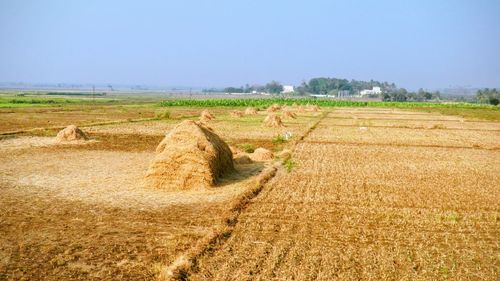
pixel 189 157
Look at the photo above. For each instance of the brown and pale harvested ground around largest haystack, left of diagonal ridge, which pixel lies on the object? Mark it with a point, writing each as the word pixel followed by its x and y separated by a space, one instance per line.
pixel 92 197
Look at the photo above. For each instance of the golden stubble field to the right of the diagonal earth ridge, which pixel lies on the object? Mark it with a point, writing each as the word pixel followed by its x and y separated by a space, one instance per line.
pixel 355 208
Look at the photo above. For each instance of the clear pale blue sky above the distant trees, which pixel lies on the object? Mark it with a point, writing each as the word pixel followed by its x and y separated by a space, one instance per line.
pixel 415 44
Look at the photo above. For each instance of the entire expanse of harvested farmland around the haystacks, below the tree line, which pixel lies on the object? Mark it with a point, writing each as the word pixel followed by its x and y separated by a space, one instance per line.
pixel 370 192
